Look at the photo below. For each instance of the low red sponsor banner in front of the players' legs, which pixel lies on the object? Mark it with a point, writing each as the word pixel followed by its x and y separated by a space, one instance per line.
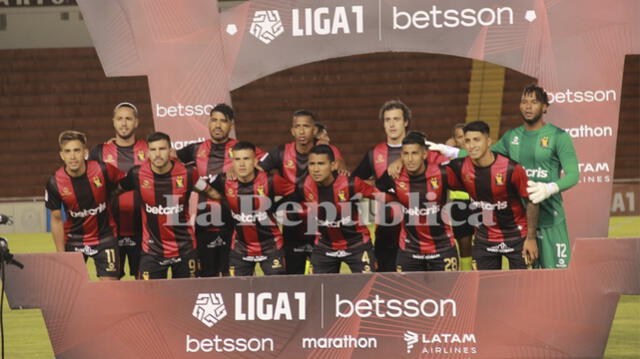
pixel 380 315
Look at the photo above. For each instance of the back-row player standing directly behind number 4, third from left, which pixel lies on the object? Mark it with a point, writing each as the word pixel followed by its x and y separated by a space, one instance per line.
pixel 291 160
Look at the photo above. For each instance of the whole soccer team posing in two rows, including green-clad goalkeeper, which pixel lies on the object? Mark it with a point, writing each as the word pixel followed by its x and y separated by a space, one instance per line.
pixel 465 203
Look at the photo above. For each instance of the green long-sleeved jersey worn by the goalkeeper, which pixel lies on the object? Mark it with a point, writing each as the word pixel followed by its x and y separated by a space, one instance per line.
pixel 544 153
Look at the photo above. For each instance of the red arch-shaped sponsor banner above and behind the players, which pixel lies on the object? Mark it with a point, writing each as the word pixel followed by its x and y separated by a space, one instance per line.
pixel 221 52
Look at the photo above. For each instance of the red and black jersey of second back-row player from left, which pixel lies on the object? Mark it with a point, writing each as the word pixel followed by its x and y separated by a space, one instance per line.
pixel 211 159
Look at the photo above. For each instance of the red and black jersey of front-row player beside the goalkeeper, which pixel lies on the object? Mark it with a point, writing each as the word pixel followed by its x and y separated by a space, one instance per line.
pixel 497 190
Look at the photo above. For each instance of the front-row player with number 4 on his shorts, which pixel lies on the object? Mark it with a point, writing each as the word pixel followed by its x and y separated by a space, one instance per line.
pixel 330 199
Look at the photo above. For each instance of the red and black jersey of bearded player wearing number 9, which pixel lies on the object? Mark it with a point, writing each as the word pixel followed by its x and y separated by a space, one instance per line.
pixel 166 232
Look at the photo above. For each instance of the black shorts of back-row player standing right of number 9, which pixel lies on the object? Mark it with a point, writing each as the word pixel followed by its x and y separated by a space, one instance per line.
pixel 213 251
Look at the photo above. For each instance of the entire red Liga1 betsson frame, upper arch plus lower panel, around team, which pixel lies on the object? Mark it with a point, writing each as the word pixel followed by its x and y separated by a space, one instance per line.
pixel 194 57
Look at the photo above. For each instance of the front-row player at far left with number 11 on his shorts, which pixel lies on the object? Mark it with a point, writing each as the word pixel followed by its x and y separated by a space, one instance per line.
pixel 84 187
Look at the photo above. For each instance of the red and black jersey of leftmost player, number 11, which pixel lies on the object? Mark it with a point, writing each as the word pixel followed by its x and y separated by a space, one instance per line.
pixel 86 203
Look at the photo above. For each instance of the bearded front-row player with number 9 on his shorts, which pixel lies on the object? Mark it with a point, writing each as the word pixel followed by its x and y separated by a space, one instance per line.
pixel 164 186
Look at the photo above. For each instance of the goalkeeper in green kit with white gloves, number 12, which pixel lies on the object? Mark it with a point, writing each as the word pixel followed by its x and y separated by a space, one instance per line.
pixel 544 150
